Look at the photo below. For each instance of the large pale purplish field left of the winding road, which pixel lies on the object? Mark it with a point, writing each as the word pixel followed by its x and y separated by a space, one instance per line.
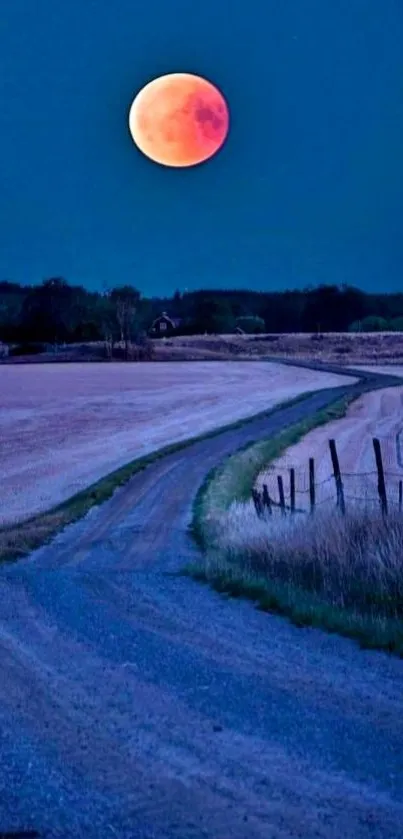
pixel 62 427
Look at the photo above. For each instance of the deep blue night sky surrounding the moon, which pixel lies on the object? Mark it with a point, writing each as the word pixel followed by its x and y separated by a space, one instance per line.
pixel 307 189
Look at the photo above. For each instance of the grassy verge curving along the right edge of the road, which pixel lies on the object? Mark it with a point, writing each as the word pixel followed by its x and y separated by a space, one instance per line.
pixel 281 576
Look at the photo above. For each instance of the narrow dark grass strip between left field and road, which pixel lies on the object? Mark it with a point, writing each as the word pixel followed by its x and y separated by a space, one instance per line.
pixel 20 539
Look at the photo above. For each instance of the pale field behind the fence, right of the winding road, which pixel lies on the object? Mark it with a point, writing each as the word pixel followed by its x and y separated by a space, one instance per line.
pixel 377 414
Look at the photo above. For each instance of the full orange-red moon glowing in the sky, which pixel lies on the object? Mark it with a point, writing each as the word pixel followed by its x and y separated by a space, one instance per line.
pixel 179 120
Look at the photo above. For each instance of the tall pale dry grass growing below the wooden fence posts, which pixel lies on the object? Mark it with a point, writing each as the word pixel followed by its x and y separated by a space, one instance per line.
pixel 352 561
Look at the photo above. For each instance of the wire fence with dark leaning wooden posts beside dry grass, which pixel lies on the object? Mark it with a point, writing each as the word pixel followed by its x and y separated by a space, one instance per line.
pixel 302 492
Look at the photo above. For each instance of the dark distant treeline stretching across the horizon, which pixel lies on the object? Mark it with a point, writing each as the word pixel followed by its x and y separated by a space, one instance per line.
pixel 56 312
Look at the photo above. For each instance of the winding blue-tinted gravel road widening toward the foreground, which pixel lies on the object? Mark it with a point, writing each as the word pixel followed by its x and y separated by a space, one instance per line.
pixel 137 703
